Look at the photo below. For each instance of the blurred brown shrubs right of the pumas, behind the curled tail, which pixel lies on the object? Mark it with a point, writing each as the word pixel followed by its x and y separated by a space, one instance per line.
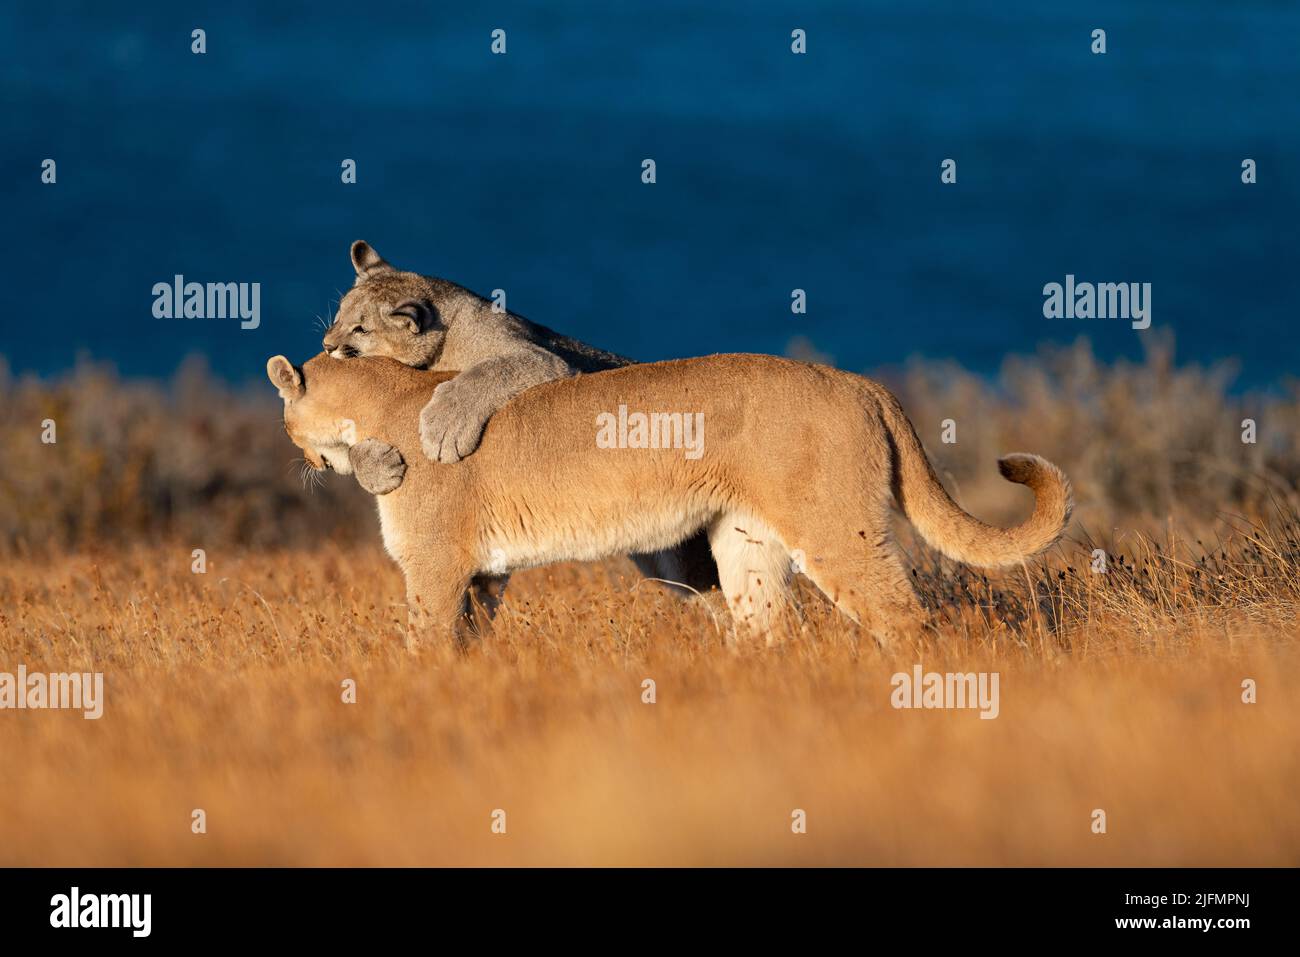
pixel 1139 441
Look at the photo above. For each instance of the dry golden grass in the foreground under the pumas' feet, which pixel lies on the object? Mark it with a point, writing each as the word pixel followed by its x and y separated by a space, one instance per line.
pixel 1121 692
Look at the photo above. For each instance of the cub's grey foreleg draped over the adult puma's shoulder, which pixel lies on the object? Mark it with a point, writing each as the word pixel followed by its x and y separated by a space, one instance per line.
pixel 454 421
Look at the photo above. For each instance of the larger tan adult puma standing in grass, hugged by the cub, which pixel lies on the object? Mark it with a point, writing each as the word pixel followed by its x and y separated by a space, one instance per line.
pixel 798 460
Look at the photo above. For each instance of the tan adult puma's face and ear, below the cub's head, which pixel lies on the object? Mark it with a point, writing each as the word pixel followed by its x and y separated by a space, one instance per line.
pixel 313 415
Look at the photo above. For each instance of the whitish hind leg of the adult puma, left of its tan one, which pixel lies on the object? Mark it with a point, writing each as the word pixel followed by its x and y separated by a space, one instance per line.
pixel 753 568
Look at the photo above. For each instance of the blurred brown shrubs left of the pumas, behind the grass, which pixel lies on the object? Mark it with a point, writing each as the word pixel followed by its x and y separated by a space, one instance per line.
pixel 193 461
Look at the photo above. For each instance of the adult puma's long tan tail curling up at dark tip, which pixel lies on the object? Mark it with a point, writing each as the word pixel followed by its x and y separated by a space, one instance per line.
pixel 964 538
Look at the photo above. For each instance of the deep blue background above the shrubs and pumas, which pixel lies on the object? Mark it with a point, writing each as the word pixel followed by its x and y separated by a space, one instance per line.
pixel 775 172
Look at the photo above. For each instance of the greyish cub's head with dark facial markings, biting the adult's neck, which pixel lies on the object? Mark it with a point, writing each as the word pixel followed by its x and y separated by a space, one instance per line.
pixel 393 313
